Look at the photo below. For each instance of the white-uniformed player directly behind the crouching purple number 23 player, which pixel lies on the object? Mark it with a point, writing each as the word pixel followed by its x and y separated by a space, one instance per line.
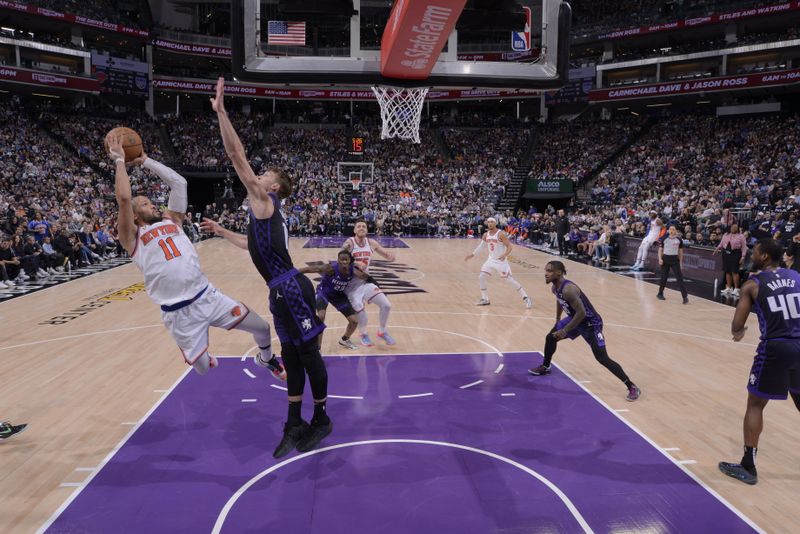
pixel 361 292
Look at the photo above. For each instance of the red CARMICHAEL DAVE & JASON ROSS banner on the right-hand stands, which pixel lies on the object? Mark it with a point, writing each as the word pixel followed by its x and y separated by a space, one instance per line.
pixel 725 83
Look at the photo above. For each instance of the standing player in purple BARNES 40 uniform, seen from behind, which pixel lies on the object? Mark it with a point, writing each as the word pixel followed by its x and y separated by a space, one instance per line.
pixel 774 294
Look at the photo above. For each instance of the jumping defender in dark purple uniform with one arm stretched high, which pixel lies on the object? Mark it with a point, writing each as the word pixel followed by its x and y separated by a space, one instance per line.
pixel 291 294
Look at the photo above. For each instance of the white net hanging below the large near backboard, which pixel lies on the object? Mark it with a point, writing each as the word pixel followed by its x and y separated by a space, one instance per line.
pixel 401 111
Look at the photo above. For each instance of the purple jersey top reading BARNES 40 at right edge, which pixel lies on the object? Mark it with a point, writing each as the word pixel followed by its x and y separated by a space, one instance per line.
pixel 778 304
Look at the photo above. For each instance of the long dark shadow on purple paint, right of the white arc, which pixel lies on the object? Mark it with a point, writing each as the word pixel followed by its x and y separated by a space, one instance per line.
pixel 592 464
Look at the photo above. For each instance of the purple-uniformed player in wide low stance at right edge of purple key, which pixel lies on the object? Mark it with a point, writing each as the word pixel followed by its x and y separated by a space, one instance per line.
pixel 581 320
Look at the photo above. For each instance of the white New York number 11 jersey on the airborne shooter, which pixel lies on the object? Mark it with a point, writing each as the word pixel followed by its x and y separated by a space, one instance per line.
pixel 169 263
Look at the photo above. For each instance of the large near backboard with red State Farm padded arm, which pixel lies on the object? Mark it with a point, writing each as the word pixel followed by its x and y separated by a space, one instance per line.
pixel 338 43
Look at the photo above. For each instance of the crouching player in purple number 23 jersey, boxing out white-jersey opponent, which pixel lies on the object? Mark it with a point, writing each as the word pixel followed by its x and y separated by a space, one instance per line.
pixel 331 289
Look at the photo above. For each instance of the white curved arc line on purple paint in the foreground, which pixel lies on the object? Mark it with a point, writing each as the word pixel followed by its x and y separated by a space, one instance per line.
pixel 560 494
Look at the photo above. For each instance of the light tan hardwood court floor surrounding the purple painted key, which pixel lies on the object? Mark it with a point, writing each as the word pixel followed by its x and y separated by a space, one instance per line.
pixel 83 361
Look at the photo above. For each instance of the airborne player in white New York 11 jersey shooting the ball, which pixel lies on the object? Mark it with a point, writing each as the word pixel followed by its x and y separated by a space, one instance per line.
pixel 172 275
